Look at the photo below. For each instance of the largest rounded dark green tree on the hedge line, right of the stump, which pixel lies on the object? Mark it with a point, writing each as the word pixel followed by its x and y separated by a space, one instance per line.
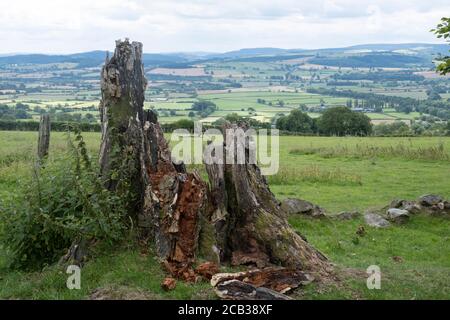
pixel 342 121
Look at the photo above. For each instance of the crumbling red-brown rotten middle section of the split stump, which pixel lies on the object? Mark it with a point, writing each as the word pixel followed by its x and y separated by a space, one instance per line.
pixel 173 203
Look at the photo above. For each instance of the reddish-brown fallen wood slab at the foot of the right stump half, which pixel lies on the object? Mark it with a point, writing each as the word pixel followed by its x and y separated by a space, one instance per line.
pixel 282 280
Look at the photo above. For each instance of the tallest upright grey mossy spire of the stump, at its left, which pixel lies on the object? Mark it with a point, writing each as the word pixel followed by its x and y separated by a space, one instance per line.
pixel 121 111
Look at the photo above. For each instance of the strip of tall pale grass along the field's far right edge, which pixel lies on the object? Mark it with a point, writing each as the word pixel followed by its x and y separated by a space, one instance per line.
pixel 366 151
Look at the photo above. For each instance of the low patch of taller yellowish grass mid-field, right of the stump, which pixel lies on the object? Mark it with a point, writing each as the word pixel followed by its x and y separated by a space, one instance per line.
pixel 316 174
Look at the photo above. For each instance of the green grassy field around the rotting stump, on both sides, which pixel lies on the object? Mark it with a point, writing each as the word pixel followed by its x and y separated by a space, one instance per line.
pixel 335 173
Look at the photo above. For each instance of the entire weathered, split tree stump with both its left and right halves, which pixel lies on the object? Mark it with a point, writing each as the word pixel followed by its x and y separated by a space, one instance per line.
pixel 171 205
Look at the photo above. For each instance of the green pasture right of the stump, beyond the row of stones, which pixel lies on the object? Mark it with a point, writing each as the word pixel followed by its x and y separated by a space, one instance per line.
pixel 382 178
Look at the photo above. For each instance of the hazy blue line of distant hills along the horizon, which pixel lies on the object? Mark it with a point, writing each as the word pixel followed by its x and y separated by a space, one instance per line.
pixel 368 55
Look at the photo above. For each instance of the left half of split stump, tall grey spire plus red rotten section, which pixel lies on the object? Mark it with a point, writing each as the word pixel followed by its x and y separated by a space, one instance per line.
pixel 135 158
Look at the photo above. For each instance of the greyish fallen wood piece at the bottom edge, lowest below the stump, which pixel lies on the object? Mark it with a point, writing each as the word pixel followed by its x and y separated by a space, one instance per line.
pixel 239 290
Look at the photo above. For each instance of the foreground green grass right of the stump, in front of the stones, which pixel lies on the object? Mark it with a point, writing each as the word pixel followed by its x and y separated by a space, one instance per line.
pixel 422 244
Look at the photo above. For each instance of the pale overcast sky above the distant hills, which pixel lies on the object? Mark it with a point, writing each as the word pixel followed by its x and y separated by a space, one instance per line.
pixel 62 26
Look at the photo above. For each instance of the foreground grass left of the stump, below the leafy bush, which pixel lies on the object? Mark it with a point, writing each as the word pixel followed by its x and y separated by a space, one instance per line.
pixel 125 270
